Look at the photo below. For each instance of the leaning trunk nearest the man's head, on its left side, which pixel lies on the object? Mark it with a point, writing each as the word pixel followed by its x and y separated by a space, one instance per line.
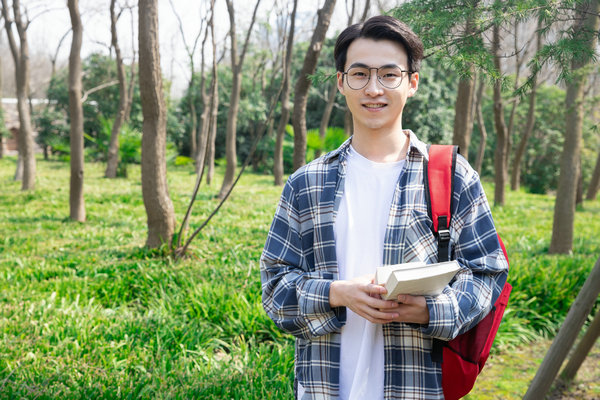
pixel 303 83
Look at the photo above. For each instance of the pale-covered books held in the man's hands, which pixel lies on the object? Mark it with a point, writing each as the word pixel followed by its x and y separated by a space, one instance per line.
pixel 415 278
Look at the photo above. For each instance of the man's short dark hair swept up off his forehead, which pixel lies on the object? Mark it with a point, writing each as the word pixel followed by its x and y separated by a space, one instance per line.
pixel 381 27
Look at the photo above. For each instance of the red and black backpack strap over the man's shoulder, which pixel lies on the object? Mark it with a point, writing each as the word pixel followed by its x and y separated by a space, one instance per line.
pixel 439 186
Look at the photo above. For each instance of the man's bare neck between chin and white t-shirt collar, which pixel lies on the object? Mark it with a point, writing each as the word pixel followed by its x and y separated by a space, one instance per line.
pixel 382 147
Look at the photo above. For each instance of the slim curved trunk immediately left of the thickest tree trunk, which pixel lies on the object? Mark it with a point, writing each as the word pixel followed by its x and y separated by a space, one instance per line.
pixel 113 147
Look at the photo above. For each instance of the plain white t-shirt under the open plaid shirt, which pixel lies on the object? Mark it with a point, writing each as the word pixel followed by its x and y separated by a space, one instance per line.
pixel 359 229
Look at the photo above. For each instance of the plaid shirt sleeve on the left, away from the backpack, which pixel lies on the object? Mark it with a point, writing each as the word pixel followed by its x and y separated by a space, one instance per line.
pixel 295 296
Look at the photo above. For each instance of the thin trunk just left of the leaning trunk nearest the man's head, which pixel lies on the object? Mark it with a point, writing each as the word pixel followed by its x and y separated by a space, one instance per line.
pixel 285 102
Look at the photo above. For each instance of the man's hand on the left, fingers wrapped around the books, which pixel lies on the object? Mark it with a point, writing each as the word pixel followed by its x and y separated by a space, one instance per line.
pixel 362 296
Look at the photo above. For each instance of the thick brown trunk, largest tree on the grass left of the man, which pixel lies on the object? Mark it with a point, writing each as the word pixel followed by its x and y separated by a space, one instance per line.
pixel 159 208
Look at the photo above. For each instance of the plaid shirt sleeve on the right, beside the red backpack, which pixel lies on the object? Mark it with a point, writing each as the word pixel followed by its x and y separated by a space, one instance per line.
pixel 484 268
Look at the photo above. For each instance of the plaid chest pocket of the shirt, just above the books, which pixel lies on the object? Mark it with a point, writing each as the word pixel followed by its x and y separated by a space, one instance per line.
pixel 419 242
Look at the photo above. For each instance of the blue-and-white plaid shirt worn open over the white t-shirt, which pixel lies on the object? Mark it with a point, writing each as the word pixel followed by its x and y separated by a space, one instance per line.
pixel 299 263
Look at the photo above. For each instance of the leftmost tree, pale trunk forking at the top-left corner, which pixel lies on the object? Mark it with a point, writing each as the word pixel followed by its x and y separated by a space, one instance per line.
pixel 21 59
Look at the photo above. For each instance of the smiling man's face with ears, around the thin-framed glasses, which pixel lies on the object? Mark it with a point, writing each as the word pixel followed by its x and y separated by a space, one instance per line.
pixel 375 107
